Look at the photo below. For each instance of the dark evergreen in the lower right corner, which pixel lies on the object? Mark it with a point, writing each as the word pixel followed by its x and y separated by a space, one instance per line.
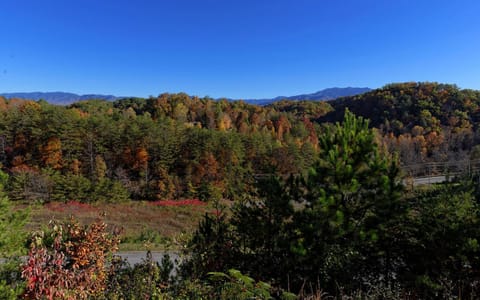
pixel 441 249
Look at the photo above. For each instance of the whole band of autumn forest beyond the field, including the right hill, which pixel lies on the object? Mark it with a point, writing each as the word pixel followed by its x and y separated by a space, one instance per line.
pixel 176 146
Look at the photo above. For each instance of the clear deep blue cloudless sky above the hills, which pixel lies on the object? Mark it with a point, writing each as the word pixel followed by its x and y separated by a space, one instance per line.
pixel 235 48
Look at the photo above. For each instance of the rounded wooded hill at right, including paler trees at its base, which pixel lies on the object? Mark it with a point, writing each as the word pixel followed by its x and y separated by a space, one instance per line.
pixel 421 121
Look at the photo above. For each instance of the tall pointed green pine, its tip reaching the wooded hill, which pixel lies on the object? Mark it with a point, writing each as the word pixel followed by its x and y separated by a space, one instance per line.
pixel 351 204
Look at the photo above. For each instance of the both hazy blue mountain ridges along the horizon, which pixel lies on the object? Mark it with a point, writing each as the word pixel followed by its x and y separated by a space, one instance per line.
pixel 63 98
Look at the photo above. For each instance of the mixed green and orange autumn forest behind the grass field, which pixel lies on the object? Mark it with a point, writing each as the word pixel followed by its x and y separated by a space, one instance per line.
pixel 173 146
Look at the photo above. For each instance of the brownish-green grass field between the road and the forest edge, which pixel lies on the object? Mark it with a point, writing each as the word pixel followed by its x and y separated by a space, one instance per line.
pixel 159 225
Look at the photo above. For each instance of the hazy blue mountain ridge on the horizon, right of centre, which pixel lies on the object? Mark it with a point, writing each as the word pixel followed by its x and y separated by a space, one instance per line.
pixel 323 95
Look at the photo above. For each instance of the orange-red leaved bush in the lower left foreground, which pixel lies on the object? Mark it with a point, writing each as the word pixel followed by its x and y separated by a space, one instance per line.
pixel 70 262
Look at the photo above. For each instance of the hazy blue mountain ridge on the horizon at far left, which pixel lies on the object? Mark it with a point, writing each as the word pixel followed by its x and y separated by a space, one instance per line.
pixel 61 98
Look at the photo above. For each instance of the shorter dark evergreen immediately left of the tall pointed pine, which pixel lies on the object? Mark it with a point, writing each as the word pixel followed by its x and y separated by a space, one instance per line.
pixel 261 224
